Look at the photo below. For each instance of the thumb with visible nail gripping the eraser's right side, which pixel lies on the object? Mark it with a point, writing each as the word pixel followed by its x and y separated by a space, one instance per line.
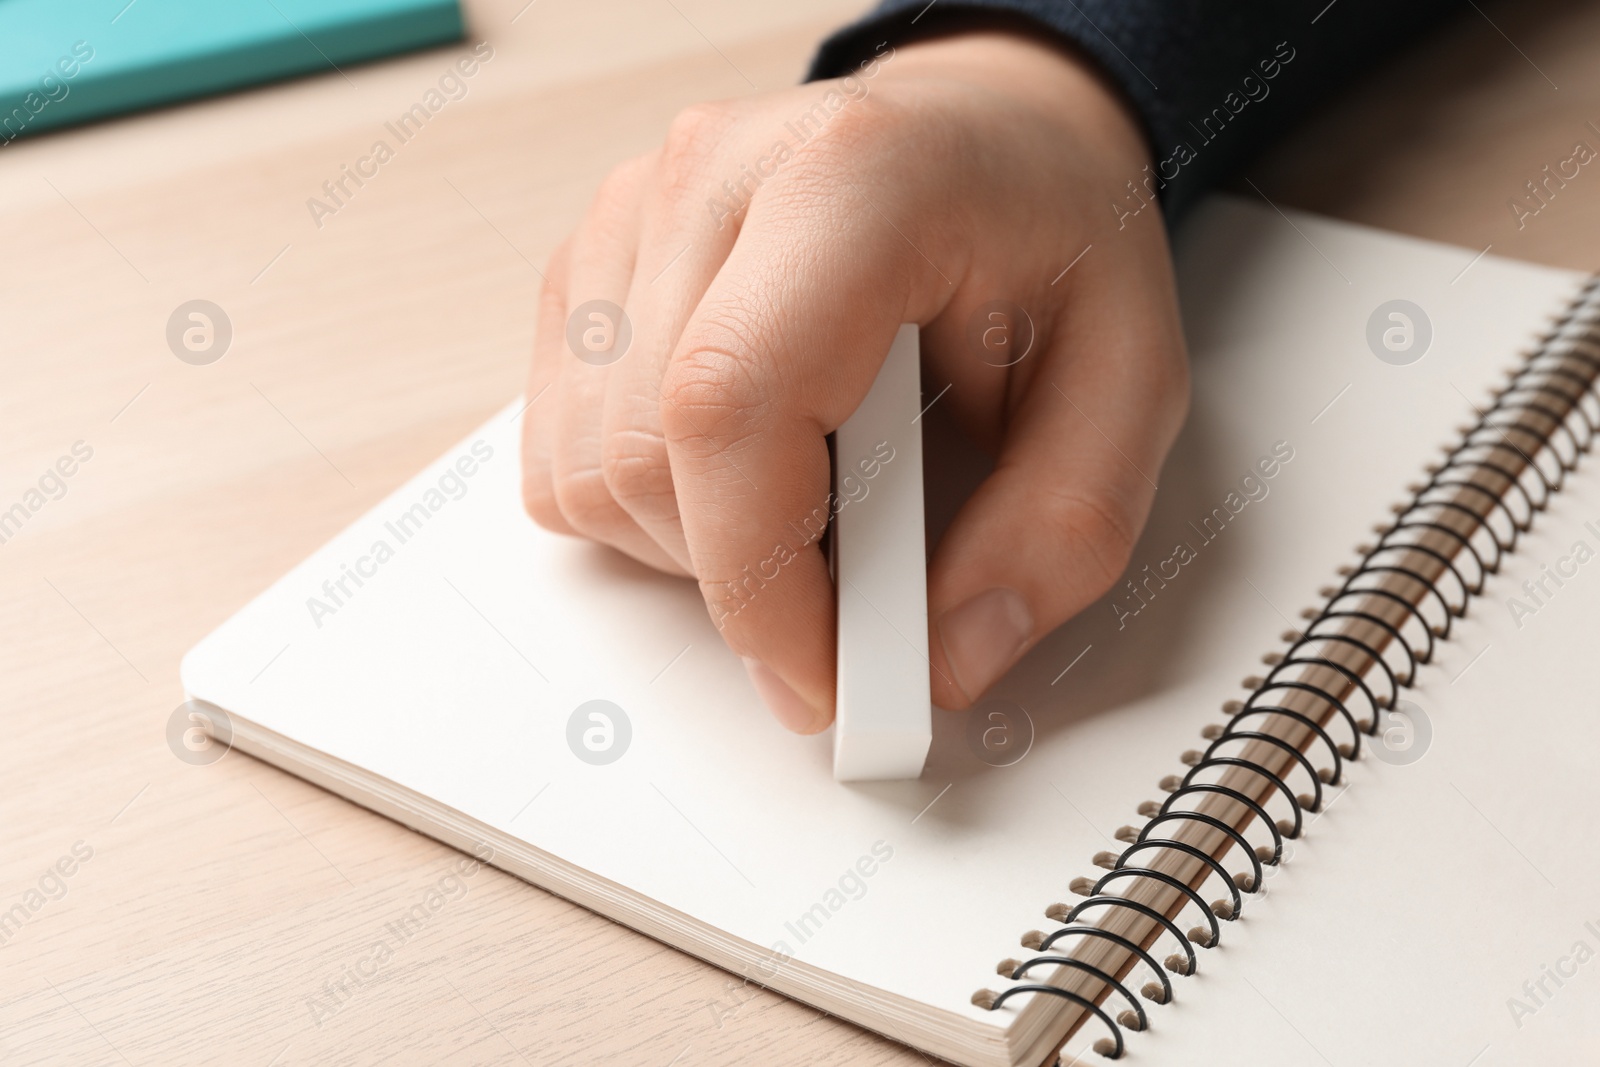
pixel 1055 524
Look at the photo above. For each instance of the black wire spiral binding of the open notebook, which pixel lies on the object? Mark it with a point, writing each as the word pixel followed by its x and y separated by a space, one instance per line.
pixel 1479 502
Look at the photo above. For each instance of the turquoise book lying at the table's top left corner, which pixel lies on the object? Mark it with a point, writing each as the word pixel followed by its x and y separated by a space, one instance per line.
pixel 71 62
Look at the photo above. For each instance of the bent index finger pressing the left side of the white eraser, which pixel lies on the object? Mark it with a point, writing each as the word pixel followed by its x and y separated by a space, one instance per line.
pixel 782 350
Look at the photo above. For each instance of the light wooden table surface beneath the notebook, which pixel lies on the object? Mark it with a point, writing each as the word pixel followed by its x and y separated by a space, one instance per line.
pixel 218 906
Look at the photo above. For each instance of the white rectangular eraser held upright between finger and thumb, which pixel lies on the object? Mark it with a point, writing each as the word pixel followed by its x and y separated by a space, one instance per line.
pixel 886 708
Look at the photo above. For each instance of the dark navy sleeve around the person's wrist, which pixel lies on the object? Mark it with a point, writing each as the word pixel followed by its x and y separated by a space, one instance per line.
pixel 1212 82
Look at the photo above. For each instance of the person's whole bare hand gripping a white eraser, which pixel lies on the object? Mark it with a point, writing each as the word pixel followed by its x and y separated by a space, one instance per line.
pixel 766 258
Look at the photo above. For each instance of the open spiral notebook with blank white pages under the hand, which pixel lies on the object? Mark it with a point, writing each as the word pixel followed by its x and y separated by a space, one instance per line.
pixel 1306 788
